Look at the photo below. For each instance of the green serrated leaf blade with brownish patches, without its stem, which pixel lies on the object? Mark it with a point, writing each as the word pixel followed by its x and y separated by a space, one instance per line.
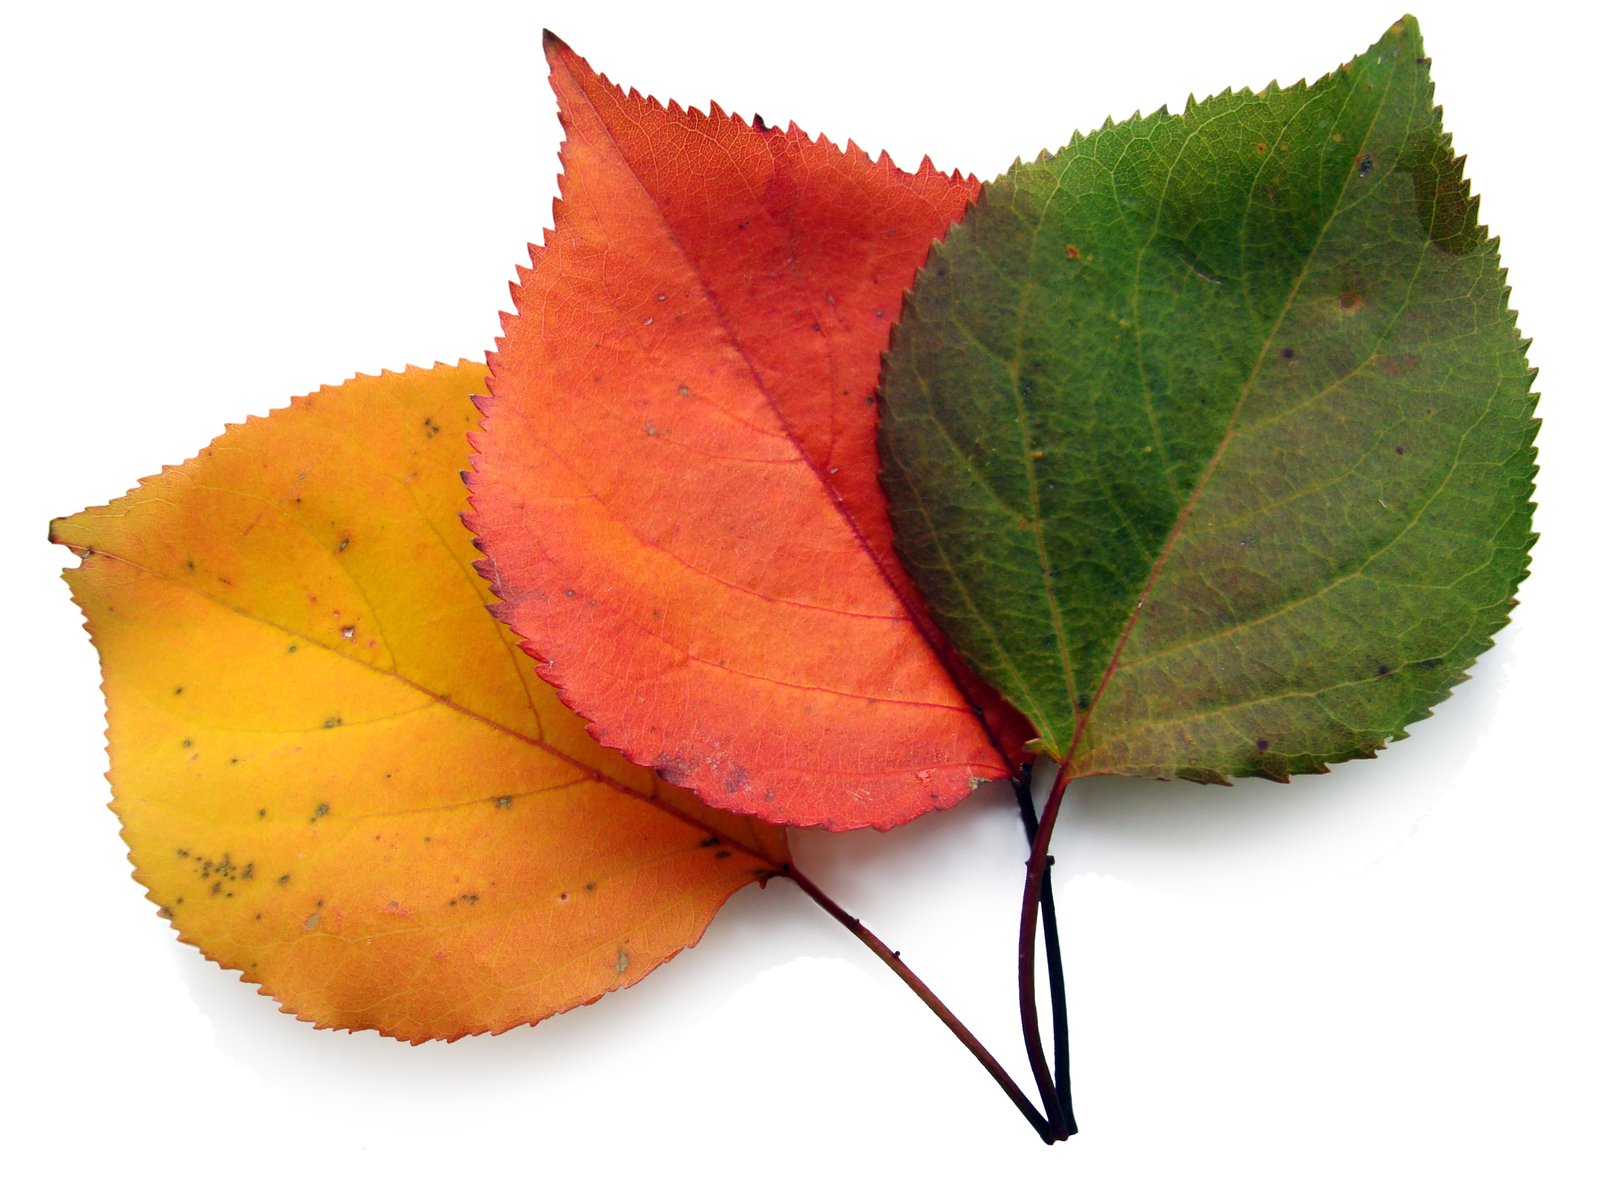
pixel 1210 436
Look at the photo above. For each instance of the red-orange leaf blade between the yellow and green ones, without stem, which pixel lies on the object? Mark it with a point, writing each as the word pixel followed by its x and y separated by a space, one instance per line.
pixel 676 486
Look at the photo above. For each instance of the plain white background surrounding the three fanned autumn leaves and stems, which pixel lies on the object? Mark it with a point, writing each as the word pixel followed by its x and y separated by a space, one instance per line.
pixel 1375 983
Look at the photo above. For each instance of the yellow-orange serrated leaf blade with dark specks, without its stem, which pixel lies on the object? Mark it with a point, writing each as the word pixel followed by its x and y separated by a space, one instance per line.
pixel 335 770
